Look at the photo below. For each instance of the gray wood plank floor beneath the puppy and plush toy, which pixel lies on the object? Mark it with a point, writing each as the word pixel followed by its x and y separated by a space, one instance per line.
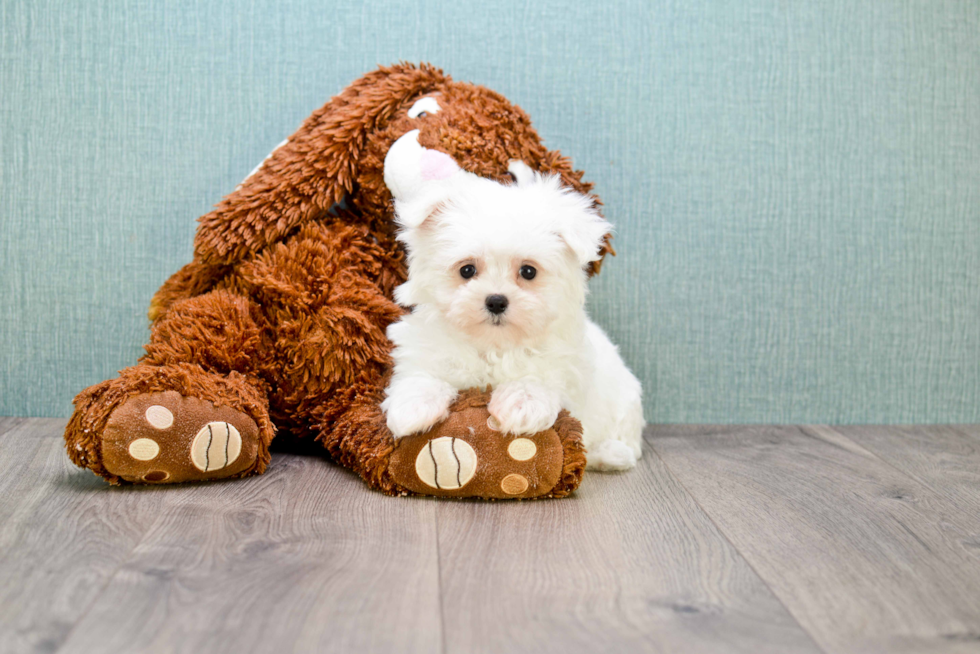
pixel 725 539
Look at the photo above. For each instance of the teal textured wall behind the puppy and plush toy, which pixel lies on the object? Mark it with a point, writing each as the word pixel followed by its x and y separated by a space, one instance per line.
pixel 796 185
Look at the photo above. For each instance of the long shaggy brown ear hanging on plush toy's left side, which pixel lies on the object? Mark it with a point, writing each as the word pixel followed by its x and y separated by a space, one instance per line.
pixel 312 170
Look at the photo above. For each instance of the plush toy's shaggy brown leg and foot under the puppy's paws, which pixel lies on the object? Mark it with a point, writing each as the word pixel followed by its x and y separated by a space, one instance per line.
pixel 464 456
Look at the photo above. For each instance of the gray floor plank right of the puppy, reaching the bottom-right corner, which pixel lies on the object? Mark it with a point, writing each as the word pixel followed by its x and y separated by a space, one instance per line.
pixel 865 557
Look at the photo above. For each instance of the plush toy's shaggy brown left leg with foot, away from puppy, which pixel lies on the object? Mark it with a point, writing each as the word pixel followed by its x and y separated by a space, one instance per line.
pixel 194 408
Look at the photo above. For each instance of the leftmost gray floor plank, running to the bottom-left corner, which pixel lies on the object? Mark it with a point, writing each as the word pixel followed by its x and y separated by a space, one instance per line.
pixel 62 535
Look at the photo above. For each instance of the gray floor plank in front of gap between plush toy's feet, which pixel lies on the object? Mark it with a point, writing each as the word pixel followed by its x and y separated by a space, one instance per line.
pixel 300 559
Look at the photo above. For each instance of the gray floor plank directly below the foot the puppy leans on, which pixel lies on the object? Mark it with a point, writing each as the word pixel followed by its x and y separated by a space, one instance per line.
pixel 629 564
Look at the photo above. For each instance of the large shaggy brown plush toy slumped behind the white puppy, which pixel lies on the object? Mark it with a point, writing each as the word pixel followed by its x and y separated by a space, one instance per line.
pixel 279 321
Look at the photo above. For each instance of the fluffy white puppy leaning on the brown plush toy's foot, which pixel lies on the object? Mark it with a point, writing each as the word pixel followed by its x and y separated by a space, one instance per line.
pixel 497 282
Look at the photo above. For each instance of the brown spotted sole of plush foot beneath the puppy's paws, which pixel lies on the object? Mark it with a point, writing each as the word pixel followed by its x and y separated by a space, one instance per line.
pixel 464 456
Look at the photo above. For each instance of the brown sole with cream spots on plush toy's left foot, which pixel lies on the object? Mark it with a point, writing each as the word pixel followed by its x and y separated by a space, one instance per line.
pixel 168 438
